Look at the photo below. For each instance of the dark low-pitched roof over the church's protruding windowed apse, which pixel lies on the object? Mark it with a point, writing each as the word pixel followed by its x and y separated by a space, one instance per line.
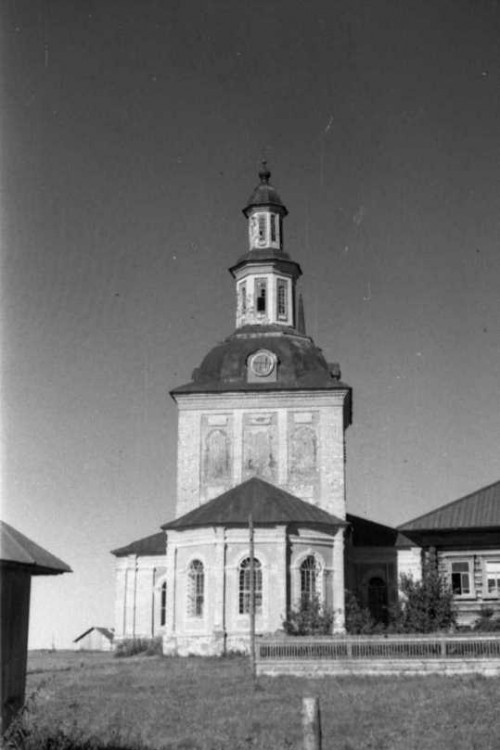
pixel 268 504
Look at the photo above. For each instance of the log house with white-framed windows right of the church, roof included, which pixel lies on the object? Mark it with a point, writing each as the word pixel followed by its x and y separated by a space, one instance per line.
pixel 465 535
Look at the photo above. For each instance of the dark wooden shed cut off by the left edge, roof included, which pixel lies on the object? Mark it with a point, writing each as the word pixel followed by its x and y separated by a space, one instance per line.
pixel 20 558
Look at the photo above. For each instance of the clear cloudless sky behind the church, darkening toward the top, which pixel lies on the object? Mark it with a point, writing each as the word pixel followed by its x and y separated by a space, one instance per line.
pixel 131 137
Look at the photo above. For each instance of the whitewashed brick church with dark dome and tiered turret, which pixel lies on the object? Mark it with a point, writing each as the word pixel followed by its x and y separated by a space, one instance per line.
pixel 261 433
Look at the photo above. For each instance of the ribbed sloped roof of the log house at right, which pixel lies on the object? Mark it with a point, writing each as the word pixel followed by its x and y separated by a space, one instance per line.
pixel 479 510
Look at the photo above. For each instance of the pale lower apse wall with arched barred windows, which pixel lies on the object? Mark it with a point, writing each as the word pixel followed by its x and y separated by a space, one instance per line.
pixel 215 617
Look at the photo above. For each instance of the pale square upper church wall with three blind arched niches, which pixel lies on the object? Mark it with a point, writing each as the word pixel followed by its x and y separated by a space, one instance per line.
pixel 293 440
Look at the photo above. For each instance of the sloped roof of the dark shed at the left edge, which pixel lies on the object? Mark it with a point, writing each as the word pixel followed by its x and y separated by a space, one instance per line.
pixel 17 549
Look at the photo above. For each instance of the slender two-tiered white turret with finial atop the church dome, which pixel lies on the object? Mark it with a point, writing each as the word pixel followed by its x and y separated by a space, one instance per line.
pixel 265 275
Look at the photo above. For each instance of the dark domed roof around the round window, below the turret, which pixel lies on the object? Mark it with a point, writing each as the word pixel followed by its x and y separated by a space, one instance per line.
pixel 300 363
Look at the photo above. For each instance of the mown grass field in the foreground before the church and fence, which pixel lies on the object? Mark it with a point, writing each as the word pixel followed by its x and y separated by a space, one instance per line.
pixel 194 703
